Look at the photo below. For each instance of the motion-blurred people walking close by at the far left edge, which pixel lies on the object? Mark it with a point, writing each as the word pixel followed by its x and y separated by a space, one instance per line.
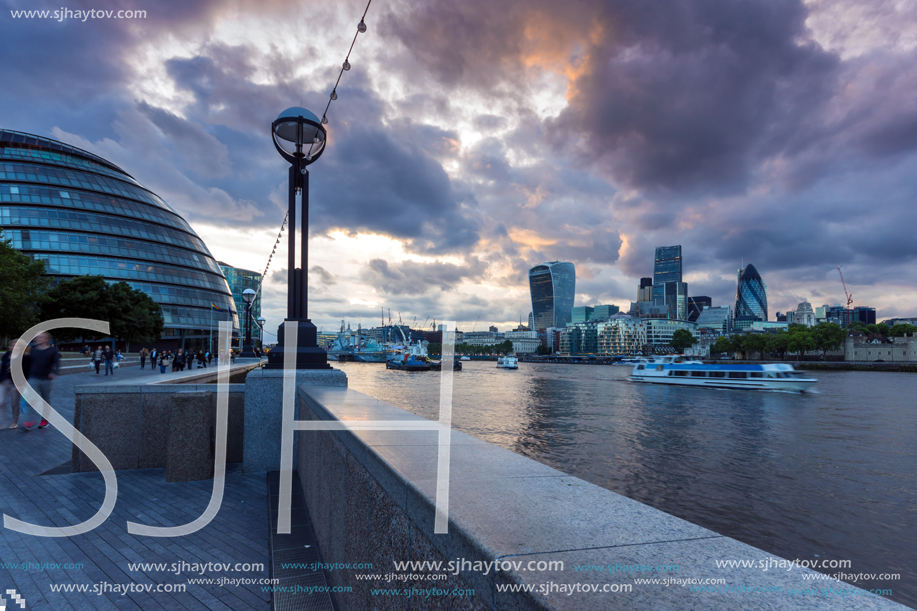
pixel 40 365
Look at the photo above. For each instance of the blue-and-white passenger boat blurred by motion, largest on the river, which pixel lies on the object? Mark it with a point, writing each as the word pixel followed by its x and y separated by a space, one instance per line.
pixel 683 371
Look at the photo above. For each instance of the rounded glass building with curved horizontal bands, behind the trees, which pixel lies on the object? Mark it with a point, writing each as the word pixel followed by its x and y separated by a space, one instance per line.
pixel 83 215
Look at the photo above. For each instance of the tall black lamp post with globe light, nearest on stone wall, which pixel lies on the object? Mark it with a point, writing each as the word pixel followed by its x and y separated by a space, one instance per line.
pixel 299 137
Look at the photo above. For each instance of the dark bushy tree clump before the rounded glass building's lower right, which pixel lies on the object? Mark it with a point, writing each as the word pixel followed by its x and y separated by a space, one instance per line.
pixel 131 314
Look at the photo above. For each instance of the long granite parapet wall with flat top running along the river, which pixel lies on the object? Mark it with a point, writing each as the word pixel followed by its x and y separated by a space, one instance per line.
pixel 371 495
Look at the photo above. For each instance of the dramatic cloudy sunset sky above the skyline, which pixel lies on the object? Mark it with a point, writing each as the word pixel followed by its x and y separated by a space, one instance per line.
pixel 474 139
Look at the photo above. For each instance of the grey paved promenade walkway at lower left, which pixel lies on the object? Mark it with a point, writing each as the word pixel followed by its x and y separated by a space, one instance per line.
pixel 100 561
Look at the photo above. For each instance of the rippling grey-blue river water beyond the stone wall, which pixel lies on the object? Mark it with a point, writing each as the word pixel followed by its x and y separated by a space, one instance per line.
pixel 826 475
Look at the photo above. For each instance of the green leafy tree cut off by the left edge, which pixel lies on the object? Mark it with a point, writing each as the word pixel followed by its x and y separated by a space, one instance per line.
pixel 24 290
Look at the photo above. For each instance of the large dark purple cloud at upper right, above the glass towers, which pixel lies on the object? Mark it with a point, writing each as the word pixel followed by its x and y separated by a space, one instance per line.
pixel 696 93
